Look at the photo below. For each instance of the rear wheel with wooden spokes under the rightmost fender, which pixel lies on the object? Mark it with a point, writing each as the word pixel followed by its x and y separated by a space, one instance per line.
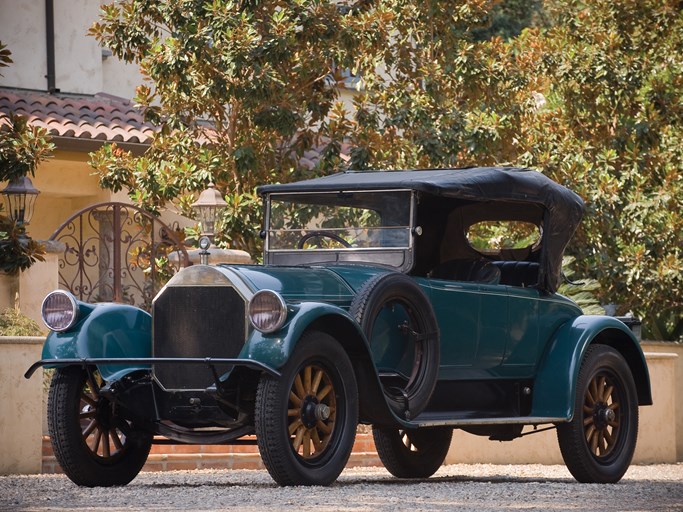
pixel 597 445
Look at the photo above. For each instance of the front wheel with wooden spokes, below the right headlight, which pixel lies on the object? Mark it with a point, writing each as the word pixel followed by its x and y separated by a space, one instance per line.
pixel 306 420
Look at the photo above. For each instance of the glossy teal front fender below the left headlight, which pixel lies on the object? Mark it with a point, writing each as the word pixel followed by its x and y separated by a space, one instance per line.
pixel 107 331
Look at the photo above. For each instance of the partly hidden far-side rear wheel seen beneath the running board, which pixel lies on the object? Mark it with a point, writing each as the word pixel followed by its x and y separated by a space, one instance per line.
pixel 415 453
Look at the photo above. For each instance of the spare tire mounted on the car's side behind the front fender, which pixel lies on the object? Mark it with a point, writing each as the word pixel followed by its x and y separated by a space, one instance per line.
pixel 409 396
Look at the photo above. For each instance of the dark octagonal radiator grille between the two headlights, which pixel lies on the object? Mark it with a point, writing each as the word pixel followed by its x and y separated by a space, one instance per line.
pixel 196 321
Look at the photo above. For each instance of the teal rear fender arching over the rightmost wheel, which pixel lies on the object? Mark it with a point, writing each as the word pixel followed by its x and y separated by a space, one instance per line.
pixel 555 386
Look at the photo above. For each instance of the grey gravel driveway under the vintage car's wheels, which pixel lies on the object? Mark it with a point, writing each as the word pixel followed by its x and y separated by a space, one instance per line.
pixel 455 487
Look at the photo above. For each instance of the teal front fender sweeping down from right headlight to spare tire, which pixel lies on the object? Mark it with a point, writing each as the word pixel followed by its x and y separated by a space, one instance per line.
pixel 274 349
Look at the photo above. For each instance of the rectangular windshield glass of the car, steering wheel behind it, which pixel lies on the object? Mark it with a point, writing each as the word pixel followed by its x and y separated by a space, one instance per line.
pixel 339 221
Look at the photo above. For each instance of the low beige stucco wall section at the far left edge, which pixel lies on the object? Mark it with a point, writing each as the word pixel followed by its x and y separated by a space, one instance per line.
pixel 20 406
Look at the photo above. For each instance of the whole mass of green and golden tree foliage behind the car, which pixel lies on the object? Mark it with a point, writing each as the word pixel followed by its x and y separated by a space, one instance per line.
pixel 587 92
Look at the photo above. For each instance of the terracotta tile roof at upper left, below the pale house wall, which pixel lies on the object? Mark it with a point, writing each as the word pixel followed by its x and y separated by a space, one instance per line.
pixel 99 117
